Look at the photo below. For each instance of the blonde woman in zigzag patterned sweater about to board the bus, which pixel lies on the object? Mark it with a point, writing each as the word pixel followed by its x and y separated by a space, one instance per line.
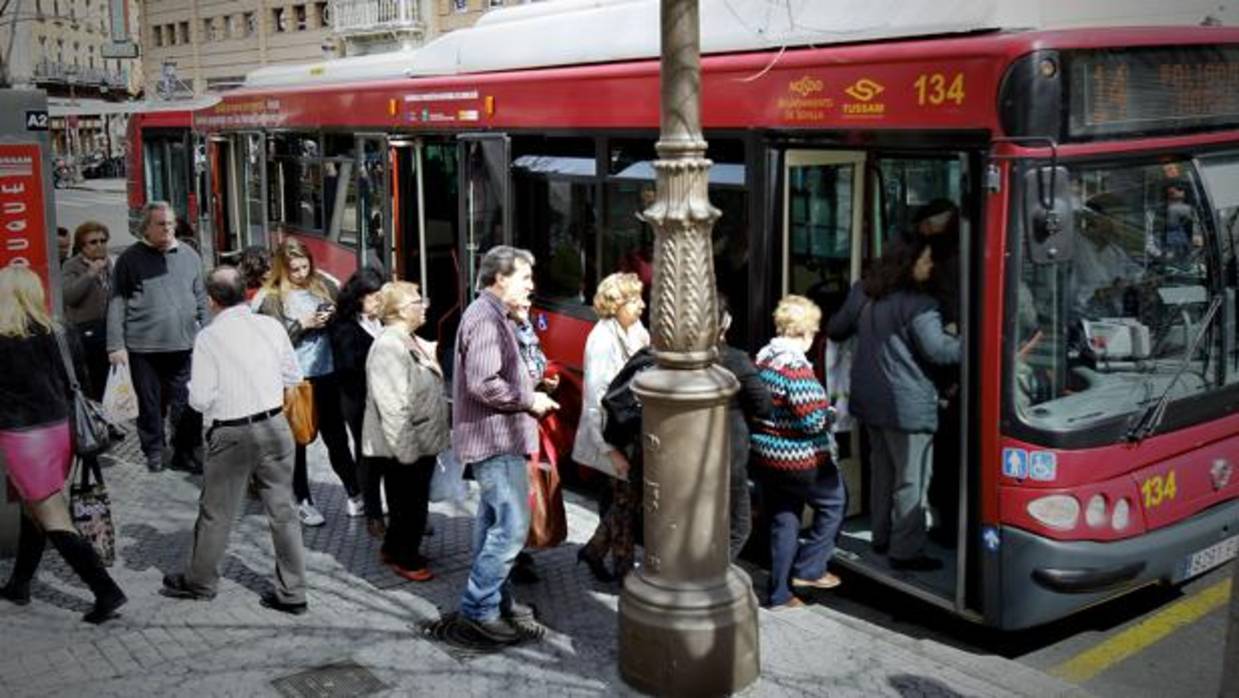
pixel 795 457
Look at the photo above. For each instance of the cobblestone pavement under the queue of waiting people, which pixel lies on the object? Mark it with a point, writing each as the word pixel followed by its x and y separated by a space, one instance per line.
pixel 362 614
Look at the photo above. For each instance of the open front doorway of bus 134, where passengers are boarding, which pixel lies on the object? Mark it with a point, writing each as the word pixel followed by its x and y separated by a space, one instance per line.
pixel 839 209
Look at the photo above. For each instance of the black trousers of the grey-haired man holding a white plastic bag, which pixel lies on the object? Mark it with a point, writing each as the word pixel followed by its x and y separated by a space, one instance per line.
pixel 162 378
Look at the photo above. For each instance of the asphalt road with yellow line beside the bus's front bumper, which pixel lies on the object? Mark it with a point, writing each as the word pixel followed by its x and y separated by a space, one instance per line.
pixel 1154 643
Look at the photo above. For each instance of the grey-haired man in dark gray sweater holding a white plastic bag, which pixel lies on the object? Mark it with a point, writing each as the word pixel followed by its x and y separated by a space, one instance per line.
pixel 158 306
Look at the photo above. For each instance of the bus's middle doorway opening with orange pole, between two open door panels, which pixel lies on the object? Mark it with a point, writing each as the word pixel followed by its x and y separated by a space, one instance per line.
pixel 426 179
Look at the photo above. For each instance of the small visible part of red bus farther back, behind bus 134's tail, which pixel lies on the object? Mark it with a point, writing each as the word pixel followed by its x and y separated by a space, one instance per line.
pixel 164 158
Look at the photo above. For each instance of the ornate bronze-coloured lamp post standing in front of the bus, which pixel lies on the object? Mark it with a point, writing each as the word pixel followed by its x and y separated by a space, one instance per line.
pixel 688 619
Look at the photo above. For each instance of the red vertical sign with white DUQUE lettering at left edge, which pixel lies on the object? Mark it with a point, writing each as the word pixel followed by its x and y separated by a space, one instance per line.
pixel 22 210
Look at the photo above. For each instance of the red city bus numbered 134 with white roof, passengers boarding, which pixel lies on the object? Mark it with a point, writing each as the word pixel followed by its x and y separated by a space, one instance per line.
pixel 1096 174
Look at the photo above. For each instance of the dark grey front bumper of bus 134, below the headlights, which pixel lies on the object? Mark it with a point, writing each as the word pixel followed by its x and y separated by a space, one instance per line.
pixel 1046 580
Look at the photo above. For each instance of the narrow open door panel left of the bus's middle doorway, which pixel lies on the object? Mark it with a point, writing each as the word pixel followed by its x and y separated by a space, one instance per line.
pixel 374 203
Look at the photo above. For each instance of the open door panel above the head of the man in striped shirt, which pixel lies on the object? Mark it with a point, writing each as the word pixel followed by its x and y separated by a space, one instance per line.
pixel 485 199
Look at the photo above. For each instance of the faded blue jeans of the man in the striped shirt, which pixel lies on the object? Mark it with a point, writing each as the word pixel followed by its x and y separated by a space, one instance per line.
pixel 499 535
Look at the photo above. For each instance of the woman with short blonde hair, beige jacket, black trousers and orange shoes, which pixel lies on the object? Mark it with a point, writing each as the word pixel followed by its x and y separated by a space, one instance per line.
pixel 406 427
